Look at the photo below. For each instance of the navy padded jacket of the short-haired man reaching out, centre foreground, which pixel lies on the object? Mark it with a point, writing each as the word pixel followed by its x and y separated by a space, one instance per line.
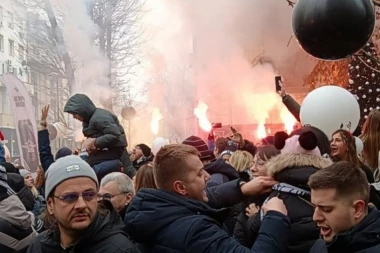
pixel 164 222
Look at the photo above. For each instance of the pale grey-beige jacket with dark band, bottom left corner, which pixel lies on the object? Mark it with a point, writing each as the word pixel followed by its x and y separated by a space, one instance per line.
pixel 16 232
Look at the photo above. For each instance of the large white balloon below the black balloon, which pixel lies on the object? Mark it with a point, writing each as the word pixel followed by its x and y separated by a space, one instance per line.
pixel 330 108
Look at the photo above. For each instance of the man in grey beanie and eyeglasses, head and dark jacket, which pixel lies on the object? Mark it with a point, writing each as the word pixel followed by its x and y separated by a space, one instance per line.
pixel 78 224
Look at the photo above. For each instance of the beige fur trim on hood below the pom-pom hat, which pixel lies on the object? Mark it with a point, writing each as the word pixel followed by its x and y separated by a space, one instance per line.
pixel 286 161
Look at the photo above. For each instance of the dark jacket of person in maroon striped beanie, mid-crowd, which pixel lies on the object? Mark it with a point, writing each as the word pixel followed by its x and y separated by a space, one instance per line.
pixel 220 172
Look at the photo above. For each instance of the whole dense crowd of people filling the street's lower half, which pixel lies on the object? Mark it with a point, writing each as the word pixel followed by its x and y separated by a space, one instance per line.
pixel 292 193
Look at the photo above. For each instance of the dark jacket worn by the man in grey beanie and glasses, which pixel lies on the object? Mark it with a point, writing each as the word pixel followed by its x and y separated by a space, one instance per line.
pixel 105 234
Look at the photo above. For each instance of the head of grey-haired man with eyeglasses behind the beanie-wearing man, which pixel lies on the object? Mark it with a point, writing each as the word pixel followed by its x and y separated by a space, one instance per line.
pixel 118 189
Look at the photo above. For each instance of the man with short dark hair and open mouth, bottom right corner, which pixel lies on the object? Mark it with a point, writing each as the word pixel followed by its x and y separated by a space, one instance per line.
pixel 340 194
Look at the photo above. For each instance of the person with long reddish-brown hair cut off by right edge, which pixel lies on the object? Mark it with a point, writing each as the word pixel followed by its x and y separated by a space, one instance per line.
pixel 371 142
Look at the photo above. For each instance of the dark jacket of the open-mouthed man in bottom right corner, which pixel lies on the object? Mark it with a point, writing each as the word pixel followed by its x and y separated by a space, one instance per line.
pixel 363 238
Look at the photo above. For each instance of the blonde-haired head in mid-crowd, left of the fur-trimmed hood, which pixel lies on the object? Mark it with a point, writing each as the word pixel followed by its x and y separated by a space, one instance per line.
pixel 242 161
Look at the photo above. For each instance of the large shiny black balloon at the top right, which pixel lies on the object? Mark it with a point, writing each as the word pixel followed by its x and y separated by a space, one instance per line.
pixel 333 29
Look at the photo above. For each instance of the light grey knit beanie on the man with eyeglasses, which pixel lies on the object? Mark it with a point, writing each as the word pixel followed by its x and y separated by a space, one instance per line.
pixel 65 168
